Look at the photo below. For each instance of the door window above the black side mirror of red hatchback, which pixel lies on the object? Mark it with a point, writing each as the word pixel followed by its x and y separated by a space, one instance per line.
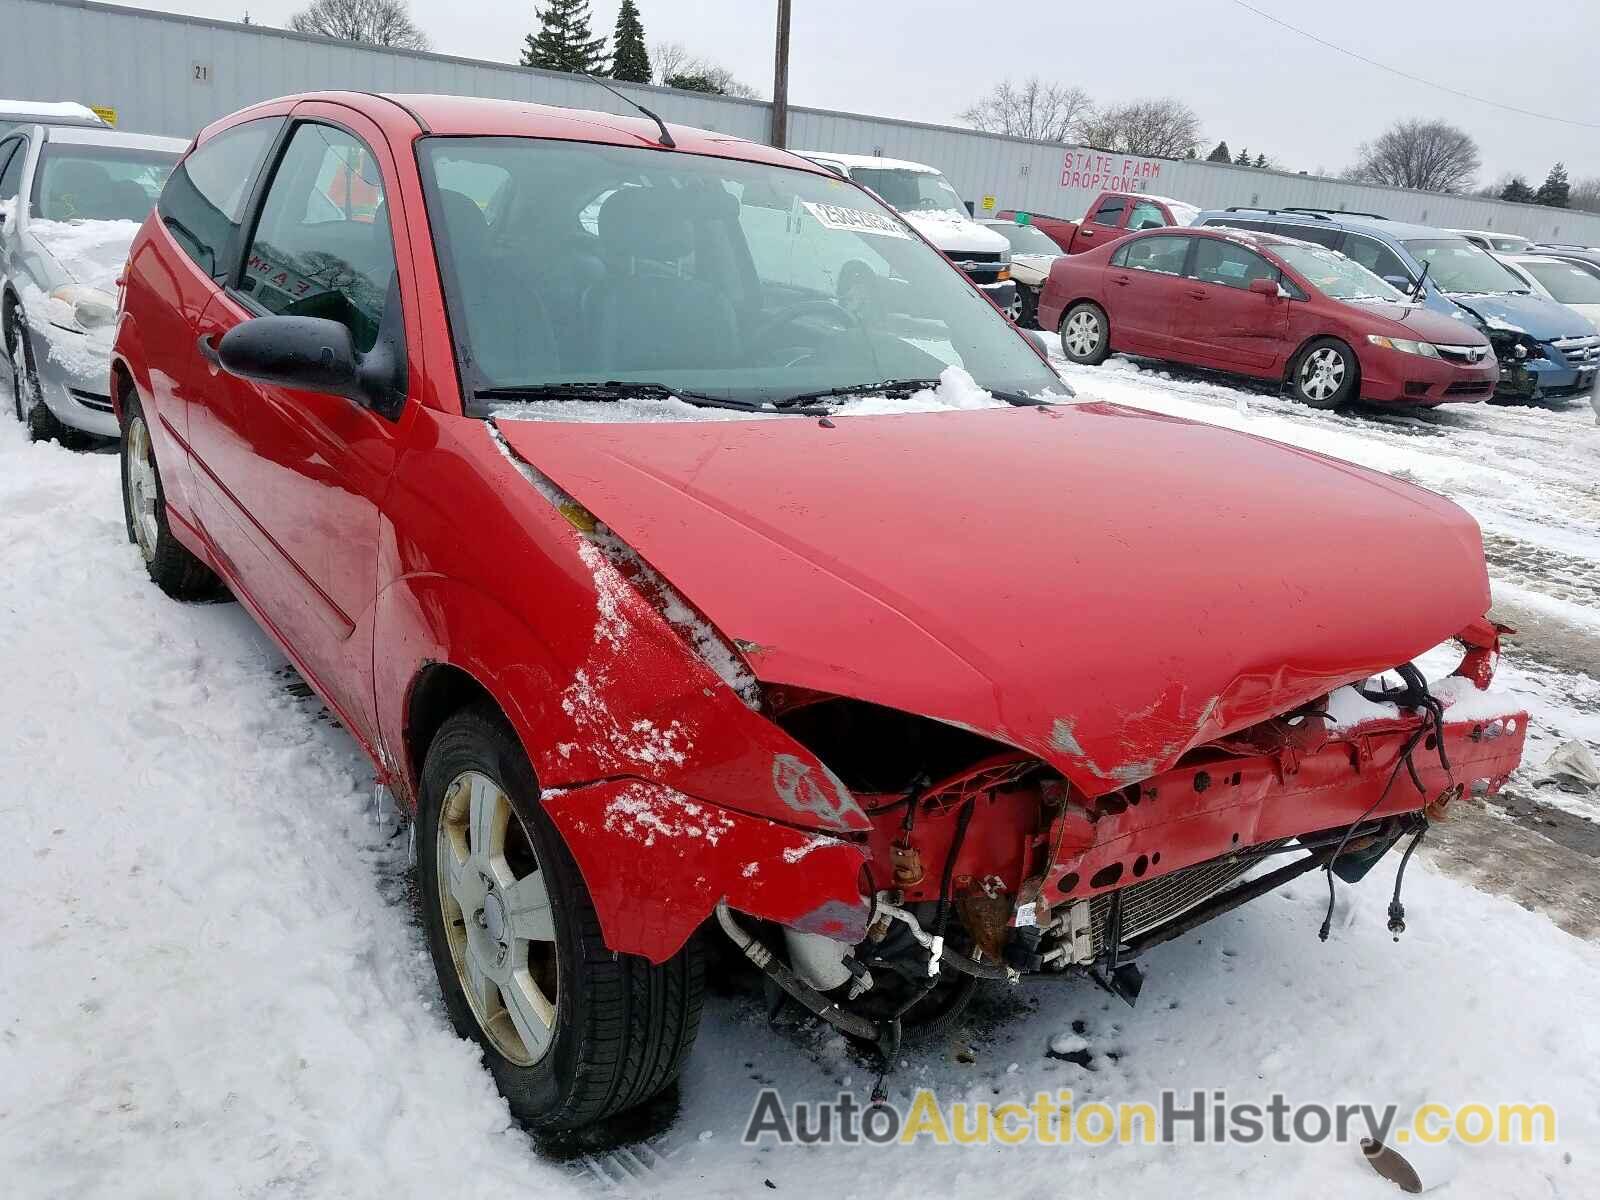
pixel 322 247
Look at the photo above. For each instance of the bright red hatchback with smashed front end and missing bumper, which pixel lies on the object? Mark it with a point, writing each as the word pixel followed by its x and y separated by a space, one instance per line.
pixel 700 556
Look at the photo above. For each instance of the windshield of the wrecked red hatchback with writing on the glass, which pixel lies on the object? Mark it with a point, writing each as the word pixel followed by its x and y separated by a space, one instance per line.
pixel 575 263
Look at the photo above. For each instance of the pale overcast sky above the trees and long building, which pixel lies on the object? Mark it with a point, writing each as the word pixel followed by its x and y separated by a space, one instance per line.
pixel 1252 82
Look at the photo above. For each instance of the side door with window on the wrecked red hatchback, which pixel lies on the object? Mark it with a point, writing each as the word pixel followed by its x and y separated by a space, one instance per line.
pixel 295 481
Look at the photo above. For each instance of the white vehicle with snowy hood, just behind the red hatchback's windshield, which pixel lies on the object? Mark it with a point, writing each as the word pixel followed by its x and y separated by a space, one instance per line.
pixel 934 209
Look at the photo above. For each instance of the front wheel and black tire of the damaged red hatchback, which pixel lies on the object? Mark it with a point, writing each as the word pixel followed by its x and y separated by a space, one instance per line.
pixel 570 1031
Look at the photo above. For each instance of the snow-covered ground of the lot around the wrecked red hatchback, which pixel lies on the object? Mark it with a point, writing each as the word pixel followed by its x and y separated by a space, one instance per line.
pixel 212 980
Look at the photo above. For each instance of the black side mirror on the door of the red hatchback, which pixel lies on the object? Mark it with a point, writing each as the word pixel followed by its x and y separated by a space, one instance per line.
pixel 316 356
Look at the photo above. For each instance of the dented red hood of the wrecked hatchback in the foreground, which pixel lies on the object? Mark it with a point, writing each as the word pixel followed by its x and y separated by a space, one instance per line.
pixel 1100 586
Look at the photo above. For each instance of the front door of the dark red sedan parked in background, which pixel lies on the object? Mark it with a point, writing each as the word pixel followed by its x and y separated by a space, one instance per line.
pixel 1220 322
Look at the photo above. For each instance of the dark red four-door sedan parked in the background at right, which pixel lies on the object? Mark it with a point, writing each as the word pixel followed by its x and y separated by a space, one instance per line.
pixel 1268 308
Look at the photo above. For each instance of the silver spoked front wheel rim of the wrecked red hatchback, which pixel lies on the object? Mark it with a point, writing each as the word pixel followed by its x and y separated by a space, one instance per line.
pixel 500 926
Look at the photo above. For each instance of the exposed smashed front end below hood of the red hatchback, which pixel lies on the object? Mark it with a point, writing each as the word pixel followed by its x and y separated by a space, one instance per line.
pixel 985 863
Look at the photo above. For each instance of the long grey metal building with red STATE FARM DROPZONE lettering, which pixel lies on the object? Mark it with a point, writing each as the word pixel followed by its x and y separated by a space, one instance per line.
pixel 174 74
